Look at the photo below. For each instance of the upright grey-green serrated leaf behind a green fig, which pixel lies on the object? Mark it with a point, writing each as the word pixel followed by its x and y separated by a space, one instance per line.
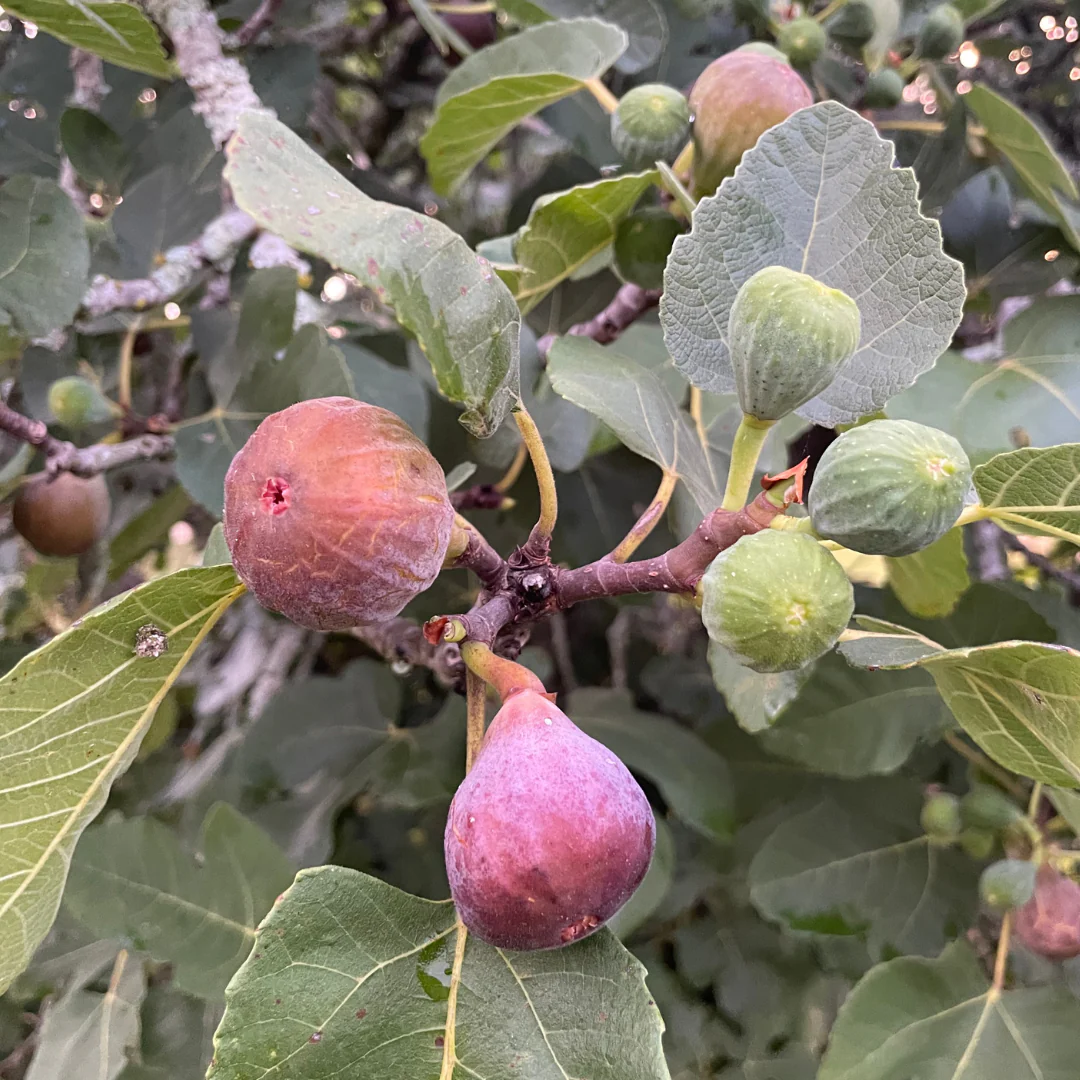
pixel 811 197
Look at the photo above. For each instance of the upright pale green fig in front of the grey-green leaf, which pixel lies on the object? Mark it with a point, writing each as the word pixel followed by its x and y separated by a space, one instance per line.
pixel 789 336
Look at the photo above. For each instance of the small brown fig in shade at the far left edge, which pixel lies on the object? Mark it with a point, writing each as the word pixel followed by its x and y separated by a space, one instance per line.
pixel 63 516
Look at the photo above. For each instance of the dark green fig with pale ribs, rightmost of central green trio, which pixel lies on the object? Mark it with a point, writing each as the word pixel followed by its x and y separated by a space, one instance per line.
pixel 889 488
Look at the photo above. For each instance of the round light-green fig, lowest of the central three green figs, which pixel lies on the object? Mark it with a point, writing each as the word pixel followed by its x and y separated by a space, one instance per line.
pixel 776 600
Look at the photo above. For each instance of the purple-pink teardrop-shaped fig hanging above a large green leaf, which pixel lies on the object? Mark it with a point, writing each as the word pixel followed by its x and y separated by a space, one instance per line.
pixel 549 835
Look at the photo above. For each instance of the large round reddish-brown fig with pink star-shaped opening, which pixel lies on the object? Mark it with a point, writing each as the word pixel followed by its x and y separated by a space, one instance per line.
pixel 336 515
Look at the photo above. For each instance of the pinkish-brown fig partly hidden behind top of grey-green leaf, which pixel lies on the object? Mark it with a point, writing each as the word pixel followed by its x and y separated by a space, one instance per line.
pixel 735 102
